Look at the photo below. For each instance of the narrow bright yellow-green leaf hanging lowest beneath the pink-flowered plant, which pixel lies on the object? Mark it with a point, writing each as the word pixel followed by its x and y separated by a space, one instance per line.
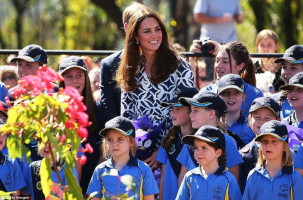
pixel 45 174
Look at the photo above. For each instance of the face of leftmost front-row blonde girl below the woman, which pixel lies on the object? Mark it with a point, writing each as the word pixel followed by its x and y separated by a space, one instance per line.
pixel 117 144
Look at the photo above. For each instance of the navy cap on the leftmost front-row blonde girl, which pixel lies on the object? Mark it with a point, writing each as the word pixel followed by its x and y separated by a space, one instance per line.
pixel 120 124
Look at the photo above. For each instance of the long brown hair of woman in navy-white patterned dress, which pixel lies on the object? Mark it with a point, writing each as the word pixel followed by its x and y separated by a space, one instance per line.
pixel 166 59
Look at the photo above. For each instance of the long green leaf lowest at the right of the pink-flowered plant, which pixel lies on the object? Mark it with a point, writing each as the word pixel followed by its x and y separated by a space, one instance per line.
pixel 74 189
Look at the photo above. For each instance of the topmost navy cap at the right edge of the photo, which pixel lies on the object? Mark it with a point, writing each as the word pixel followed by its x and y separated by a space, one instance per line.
pixel 293 54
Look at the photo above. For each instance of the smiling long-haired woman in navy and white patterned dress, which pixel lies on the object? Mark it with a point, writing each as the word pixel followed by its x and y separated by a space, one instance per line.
pixel 150 72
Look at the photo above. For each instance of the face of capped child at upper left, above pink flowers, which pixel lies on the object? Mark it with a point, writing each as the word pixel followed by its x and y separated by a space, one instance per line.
pixel 27 68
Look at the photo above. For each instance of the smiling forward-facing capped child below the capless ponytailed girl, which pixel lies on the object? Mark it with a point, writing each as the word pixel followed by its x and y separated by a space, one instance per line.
pixel 231 89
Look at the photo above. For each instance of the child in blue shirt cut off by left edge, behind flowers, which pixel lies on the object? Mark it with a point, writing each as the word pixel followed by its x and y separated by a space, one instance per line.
pixel 11 178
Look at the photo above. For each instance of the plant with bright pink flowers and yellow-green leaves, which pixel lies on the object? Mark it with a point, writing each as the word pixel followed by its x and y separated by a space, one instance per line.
pixel 56 120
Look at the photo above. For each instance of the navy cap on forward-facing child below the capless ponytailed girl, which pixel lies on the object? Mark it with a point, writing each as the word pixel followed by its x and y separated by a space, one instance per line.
pixel 231 81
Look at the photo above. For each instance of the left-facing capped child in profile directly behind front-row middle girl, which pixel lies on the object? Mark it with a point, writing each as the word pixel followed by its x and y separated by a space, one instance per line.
pixel 208 108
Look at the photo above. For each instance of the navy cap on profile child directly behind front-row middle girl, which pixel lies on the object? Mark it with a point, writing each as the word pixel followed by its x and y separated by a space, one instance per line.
pixel 207 99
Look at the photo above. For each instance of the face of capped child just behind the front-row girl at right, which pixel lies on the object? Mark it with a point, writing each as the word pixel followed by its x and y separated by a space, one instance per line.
pixel 259 117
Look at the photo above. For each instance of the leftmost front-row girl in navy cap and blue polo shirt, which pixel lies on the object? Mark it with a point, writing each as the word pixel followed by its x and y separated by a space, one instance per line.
pixel 119 147
